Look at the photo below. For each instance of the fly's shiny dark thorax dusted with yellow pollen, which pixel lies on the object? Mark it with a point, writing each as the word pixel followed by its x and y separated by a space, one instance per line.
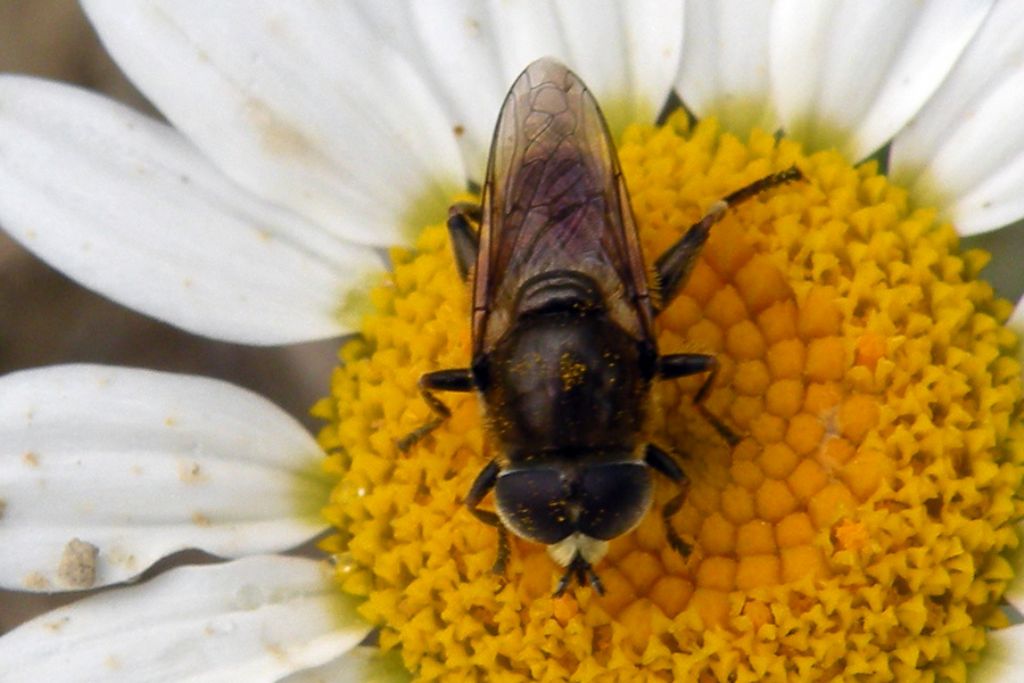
pixel 565 376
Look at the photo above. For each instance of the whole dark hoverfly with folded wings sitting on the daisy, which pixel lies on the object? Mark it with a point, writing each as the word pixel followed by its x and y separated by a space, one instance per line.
pixel 564 346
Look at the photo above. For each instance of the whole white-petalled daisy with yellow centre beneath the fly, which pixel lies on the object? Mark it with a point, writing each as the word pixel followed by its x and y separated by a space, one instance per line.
pixel 863 526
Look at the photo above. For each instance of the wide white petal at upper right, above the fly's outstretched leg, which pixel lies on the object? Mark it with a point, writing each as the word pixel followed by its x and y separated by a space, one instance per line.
pixel 850 74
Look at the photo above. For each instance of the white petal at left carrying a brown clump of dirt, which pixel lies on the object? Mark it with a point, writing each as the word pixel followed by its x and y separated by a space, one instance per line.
pixel 106 471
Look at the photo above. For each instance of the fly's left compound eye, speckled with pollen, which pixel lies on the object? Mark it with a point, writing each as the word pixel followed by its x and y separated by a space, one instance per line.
pixel 533 503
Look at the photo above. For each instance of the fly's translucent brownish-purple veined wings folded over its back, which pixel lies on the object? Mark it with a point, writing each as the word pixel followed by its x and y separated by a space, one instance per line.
pixel 554 200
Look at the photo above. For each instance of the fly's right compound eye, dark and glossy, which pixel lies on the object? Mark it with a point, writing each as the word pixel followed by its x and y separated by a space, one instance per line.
pixel 614 499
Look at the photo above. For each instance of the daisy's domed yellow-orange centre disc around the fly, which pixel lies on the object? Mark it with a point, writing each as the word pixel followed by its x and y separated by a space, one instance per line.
pixel 861 526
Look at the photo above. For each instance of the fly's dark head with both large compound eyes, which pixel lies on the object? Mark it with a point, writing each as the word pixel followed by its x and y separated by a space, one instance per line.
pixel 599 495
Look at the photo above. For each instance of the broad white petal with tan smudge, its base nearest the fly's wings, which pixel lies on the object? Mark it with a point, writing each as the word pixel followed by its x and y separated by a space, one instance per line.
pixel 304 106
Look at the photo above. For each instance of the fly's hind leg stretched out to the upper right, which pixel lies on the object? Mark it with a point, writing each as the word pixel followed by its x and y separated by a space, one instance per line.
pixel 675 265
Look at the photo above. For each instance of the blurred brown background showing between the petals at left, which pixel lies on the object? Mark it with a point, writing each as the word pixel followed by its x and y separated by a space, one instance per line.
pixel 46 319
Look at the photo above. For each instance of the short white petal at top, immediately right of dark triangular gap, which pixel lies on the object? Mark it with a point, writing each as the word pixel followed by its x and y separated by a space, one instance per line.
pixel 724 72
